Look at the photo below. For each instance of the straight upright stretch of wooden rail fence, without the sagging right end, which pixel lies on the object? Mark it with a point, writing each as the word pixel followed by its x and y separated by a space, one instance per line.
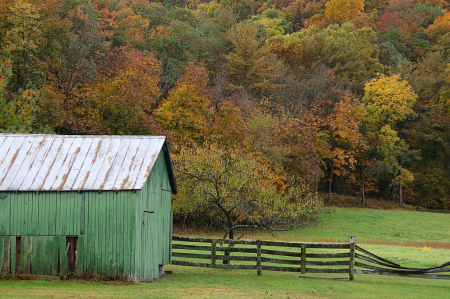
pixel 250 254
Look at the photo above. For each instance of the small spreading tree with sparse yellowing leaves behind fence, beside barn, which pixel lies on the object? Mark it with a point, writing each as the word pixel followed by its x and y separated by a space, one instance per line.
pixel 238 191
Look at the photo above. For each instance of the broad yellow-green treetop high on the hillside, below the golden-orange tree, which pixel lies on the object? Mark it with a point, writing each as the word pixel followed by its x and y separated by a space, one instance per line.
pixel 348 51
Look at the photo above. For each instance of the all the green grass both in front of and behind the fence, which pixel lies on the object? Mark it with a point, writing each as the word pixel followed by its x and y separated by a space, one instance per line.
pixel 399 236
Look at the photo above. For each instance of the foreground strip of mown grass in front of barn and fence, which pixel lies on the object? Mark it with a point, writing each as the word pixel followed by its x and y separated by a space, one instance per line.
pixel 189 282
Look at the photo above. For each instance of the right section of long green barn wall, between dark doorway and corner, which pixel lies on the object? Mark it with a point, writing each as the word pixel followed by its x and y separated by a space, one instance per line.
pixel 109 234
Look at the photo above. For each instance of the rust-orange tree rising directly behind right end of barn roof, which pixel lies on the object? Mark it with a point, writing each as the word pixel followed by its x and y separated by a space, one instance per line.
pixel 126 102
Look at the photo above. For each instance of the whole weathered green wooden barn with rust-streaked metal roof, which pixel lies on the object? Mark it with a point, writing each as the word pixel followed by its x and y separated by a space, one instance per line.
pixel 94 206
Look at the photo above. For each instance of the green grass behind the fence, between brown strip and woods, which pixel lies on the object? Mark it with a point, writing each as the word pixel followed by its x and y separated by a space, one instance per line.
pixel 369 226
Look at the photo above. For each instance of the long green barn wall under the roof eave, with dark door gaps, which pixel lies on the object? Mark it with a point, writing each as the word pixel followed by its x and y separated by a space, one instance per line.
pixel 102 222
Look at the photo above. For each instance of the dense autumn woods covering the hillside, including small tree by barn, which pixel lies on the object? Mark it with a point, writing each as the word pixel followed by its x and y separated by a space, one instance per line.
pixel 264 102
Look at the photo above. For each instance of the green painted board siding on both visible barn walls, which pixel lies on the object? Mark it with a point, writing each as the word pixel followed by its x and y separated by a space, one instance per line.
pixel 123 233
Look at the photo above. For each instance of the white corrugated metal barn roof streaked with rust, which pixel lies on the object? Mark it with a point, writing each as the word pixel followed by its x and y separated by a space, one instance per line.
pixel 60 162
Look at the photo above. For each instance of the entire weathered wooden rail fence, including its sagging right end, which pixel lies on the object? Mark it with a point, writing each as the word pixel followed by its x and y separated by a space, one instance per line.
pixel 304 258
